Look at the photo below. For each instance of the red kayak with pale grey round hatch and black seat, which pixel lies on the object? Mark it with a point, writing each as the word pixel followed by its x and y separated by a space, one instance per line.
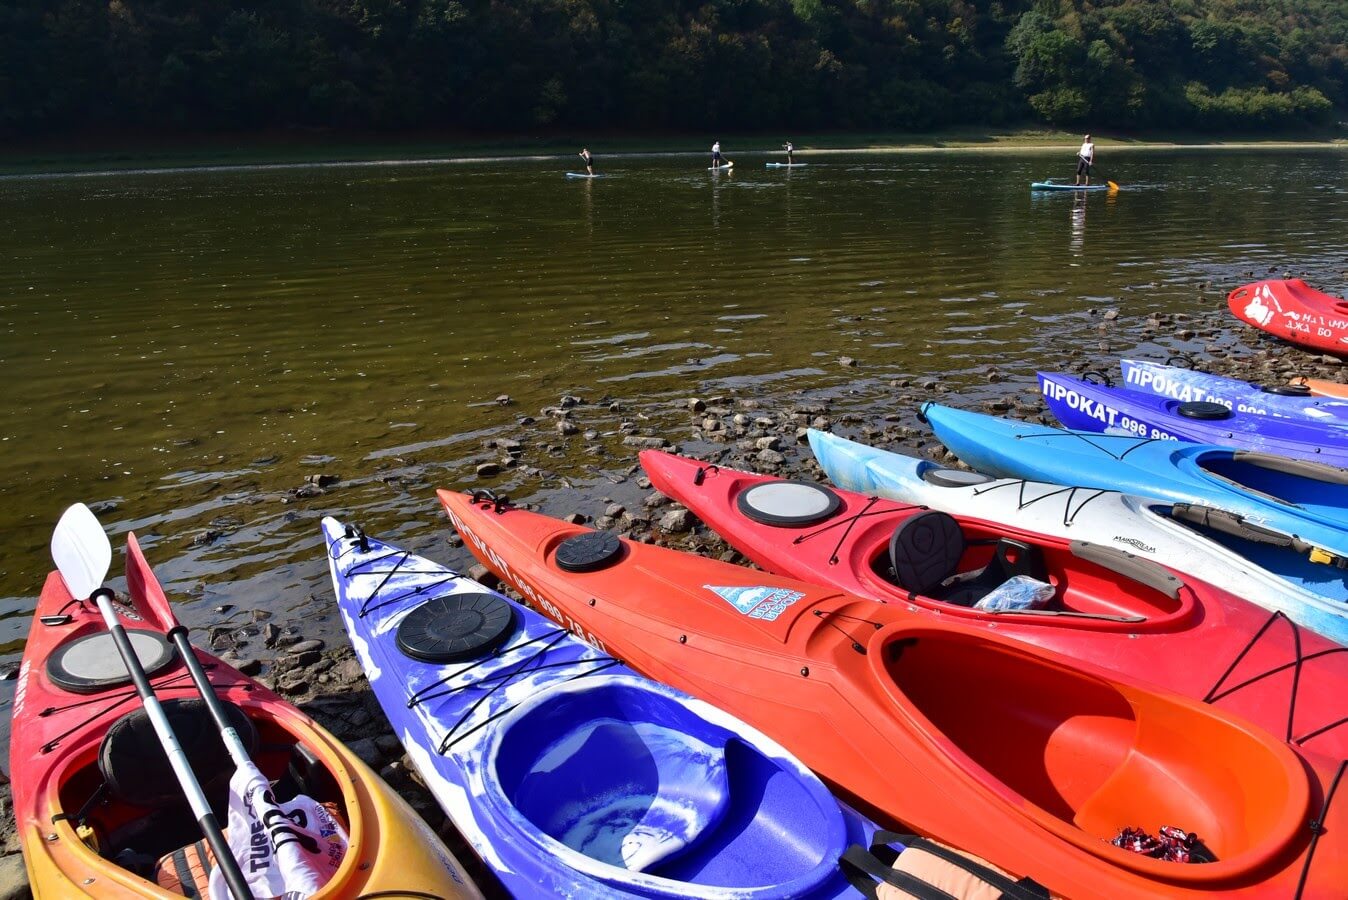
pixel 1109 608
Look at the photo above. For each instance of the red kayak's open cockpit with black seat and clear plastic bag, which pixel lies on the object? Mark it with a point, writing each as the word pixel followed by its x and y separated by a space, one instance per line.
pixel 975 569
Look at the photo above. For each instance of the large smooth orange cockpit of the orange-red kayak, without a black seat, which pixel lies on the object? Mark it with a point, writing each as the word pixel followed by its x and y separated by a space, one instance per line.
pixel 1087 758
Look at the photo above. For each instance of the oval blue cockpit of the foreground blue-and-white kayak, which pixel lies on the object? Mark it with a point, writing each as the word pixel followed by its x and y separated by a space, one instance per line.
pixel 637 786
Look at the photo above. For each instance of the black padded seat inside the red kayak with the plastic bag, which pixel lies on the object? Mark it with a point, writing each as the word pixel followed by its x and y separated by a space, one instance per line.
pixel 927 549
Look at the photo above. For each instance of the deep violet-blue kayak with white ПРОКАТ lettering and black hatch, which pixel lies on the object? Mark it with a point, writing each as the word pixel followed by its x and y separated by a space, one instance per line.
pixel 1098 408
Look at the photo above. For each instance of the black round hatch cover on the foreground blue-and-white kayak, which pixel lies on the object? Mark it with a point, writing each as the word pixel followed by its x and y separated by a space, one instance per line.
pixel 456 627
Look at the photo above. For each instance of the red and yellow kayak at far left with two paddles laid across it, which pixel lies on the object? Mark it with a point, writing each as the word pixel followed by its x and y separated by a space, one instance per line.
pixel 99 818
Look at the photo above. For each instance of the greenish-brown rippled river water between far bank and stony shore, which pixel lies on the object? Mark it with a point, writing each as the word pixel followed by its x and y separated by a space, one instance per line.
pixel 184 348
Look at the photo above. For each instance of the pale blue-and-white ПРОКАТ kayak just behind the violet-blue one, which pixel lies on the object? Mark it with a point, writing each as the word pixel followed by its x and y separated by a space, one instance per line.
pixel 1188 386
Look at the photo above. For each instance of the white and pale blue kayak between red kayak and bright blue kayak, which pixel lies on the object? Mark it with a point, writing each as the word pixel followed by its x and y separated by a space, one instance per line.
pixel 1252 564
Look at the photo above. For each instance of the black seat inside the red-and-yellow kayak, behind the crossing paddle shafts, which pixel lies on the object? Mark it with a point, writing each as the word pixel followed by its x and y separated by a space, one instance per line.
pixel 137 770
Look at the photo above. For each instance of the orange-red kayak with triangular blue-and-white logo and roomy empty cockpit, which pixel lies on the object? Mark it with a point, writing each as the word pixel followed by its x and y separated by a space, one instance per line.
pixel 1018 755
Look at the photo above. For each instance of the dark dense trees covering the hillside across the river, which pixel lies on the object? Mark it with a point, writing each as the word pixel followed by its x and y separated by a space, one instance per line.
pixel 514 65
